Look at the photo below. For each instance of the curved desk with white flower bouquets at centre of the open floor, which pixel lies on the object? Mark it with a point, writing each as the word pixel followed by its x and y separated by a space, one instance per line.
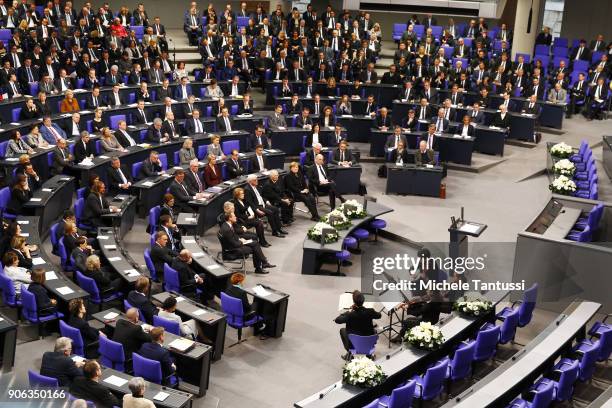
pixel 313 252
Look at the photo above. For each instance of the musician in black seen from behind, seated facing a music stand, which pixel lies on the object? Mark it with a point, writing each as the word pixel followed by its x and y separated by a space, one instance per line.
pixel 358 320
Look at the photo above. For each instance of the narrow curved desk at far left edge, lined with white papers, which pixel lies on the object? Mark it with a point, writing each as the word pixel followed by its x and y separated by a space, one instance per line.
pixel 62 288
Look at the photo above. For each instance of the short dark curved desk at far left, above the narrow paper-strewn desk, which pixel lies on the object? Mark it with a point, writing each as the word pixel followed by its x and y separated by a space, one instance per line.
pixel 49 202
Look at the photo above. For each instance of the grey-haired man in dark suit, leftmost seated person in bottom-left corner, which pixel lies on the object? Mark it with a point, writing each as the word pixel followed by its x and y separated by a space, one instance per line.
pixel 58 364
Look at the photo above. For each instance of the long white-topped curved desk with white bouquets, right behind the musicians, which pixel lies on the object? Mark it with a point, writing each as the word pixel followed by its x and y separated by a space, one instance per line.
pixel 401 364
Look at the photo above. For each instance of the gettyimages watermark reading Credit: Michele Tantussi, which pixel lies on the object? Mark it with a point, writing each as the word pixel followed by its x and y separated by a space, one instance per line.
pixel 399 272
